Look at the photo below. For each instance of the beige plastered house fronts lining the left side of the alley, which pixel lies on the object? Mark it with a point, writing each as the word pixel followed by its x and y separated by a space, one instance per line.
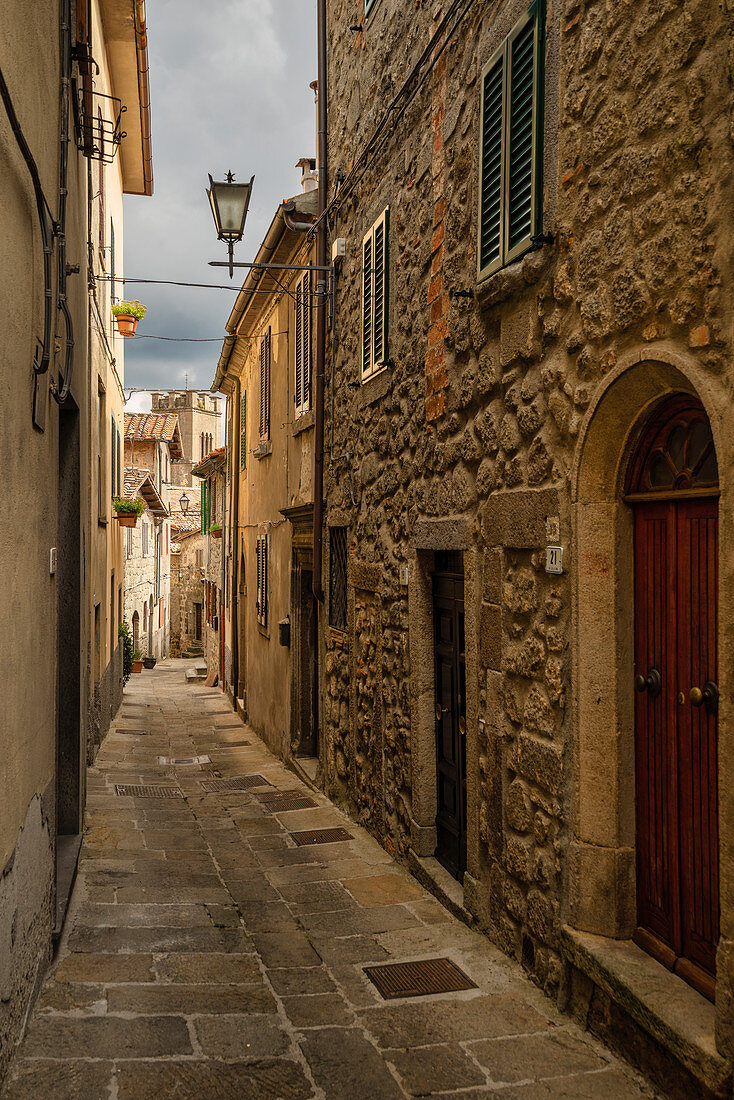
pixel 61 395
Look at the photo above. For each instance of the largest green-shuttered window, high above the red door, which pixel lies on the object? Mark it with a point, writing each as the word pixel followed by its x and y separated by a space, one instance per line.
pixel 511 162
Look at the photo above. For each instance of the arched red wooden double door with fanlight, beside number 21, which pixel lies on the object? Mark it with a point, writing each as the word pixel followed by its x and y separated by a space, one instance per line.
pixel 673 488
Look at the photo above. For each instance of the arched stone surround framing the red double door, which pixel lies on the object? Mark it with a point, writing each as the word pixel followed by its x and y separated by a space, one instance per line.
pixel 601 897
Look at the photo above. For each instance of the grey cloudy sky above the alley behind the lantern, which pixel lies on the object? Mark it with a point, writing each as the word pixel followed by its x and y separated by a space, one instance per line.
pixel 229 87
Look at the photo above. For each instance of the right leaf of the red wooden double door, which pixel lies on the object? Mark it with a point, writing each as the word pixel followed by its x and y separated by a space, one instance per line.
pixel 697 540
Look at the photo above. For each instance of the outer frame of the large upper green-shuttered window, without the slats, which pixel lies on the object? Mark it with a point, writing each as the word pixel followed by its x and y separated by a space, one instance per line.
pixel 508 256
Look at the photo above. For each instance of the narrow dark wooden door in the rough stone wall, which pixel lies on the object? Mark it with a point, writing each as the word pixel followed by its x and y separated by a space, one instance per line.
pixel 451 714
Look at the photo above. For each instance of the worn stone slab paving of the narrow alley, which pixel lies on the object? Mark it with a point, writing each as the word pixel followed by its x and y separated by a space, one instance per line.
pixel 207 956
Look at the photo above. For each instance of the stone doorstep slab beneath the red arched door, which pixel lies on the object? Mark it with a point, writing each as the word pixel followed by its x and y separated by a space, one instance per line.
pixel 660 1003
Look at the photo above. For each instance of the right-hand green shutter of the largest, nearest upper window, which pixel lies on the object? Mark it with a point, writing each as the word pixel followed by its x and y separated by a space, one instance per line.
pixel 521 134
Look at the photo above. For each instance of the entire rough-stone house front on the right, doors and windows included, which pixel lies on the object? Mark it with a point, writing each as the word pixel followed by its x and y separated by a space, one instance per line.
pixel 502 415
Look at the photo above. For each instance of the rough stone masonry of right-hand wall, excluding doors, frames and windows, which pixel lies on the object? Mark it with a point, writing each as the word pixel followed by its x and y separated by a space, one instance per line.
pixel 638 193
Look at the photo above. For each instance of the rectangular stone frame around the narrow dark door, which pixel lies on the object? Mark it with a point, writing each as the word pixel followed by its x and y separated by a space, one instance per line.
pixel 451 533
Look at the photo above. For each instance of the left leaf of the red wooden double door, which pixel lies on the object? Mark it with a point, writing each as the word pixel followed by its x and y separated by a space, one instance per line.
pixel 659 901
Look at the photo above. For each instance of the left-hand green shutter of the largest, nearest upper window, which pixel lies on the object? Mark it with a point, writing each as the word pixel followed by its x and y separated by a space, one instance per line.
pixel 490 245
